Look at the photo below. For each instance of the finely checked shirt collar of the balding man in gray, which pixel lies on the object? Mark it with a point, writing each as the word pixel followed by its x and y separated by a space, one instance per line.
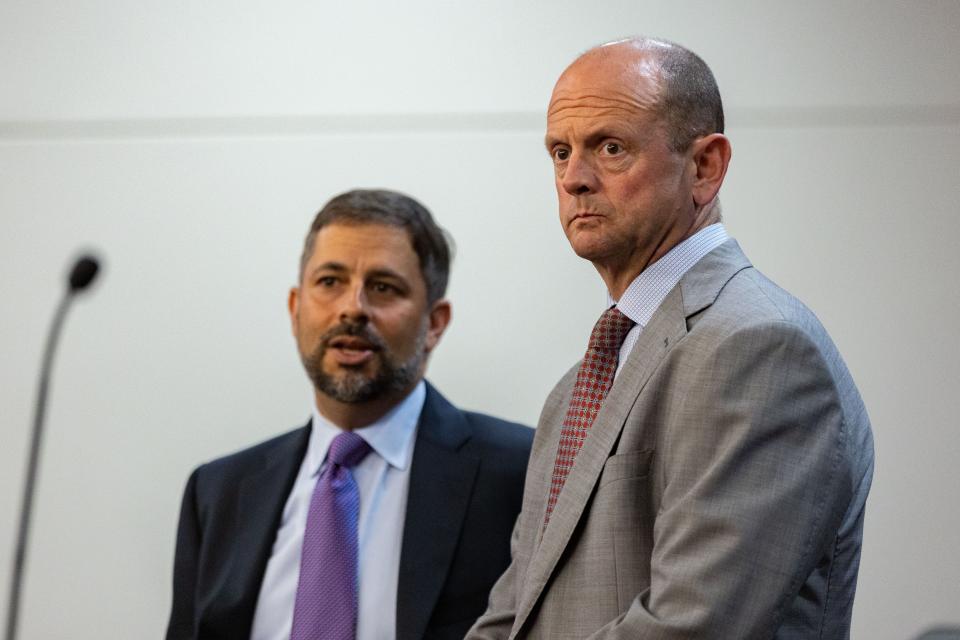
pixel 648 289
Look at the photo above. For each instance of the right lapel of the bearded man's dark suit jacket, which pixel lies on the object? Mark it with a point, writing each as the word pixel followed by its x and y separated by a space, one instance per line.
pixel 441 482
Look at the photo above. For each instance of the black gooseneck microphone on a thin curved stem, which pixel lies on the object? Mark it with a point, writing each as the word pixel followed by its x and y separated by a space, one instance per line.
pixel 83 273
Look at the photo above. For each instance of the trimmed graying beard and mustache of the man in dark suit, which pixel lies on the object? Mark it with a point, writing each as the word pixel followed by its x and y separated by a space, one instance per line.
pixel 353 387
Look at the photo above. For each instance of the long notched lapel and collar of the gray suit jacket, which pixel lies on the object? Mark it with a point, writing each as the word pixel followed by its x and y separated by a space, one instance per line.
pixel 696 291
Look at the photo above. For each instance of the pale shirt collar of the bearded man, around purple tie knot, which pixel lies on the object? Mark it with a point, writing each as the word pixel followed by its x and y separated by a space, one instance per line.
pixel 391 437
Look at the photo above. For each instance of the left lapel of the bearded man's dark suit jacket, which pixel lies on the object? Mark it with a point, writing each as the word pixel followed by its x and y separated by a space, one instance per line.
pixel 260 500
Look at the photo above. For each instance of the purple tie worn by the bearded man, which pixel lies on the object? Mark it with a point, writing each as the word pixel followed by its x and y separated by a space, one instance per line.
pixel 326 604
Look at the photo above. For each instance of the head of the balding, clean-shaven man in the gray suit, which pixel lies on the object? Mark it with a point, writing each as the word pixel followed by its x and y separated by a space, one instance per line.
pixel 634 133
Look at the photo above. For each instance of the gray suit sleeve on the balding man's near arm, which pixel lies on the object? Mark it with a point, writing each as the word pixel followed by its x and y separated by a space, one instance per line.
pixel 753 490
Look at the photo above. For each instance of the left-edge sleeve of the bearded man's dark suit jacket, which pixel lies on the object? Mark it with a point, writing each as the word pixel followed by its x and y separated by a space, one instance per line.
pixel 182 614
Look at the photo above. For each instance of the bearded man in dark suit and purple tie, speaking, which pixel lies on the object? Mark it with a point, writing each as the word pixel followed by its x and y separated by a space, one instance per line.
pixel 389 514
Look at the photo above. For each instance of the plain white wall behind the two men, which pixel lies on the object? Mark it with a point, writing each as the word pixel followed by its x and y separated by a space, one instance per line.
pixel 192 142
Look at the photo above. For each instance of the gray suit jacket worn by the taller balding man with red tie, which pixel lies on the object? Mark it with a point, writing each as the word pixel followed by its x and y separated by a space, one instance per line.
pixel 720 492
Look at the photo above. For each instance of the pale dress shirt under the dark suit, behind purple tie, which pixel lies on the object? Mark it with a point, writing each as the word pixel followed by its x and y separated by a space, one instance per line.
pixel 383 478
